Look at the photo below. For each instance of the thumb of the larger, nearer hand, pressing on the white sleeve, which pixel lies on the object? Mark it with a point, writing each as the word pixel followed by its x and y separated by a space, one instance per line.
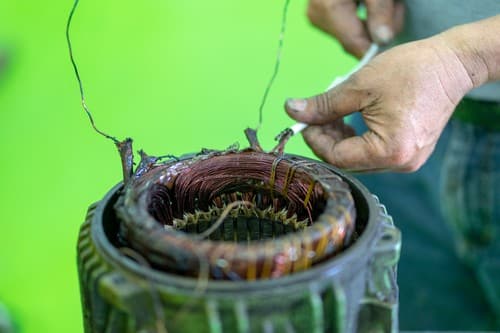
pixel 323 108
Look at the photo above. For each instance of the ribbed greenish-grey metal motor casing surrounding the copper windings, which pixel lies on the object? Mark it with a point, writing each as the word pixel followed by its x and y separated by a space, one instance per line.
pixel 355 291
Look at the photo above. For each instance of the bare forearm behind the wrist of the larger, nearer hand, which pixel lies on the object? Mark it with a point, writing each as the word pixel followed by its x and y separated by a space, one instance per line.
pixel 477 46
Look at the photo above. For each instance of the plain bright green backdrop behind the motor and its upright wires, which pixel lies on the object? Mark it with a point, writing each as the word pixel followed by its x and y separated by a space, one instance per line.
pixel 174 75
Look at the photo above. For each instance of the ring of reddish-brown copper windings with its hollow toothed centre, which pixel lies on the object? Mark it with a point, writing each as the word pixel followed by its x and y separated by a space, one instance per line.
pixel 301 213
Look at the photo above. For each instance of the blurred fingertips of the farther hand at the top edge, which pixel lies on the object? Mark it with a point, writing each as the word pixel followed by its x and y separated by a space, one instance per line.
pixel 339 19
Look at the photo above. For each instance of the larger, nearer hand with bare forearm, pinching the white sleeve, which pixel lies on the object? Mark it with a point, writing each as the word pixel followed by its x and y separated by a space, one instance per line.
pixel 406 96
